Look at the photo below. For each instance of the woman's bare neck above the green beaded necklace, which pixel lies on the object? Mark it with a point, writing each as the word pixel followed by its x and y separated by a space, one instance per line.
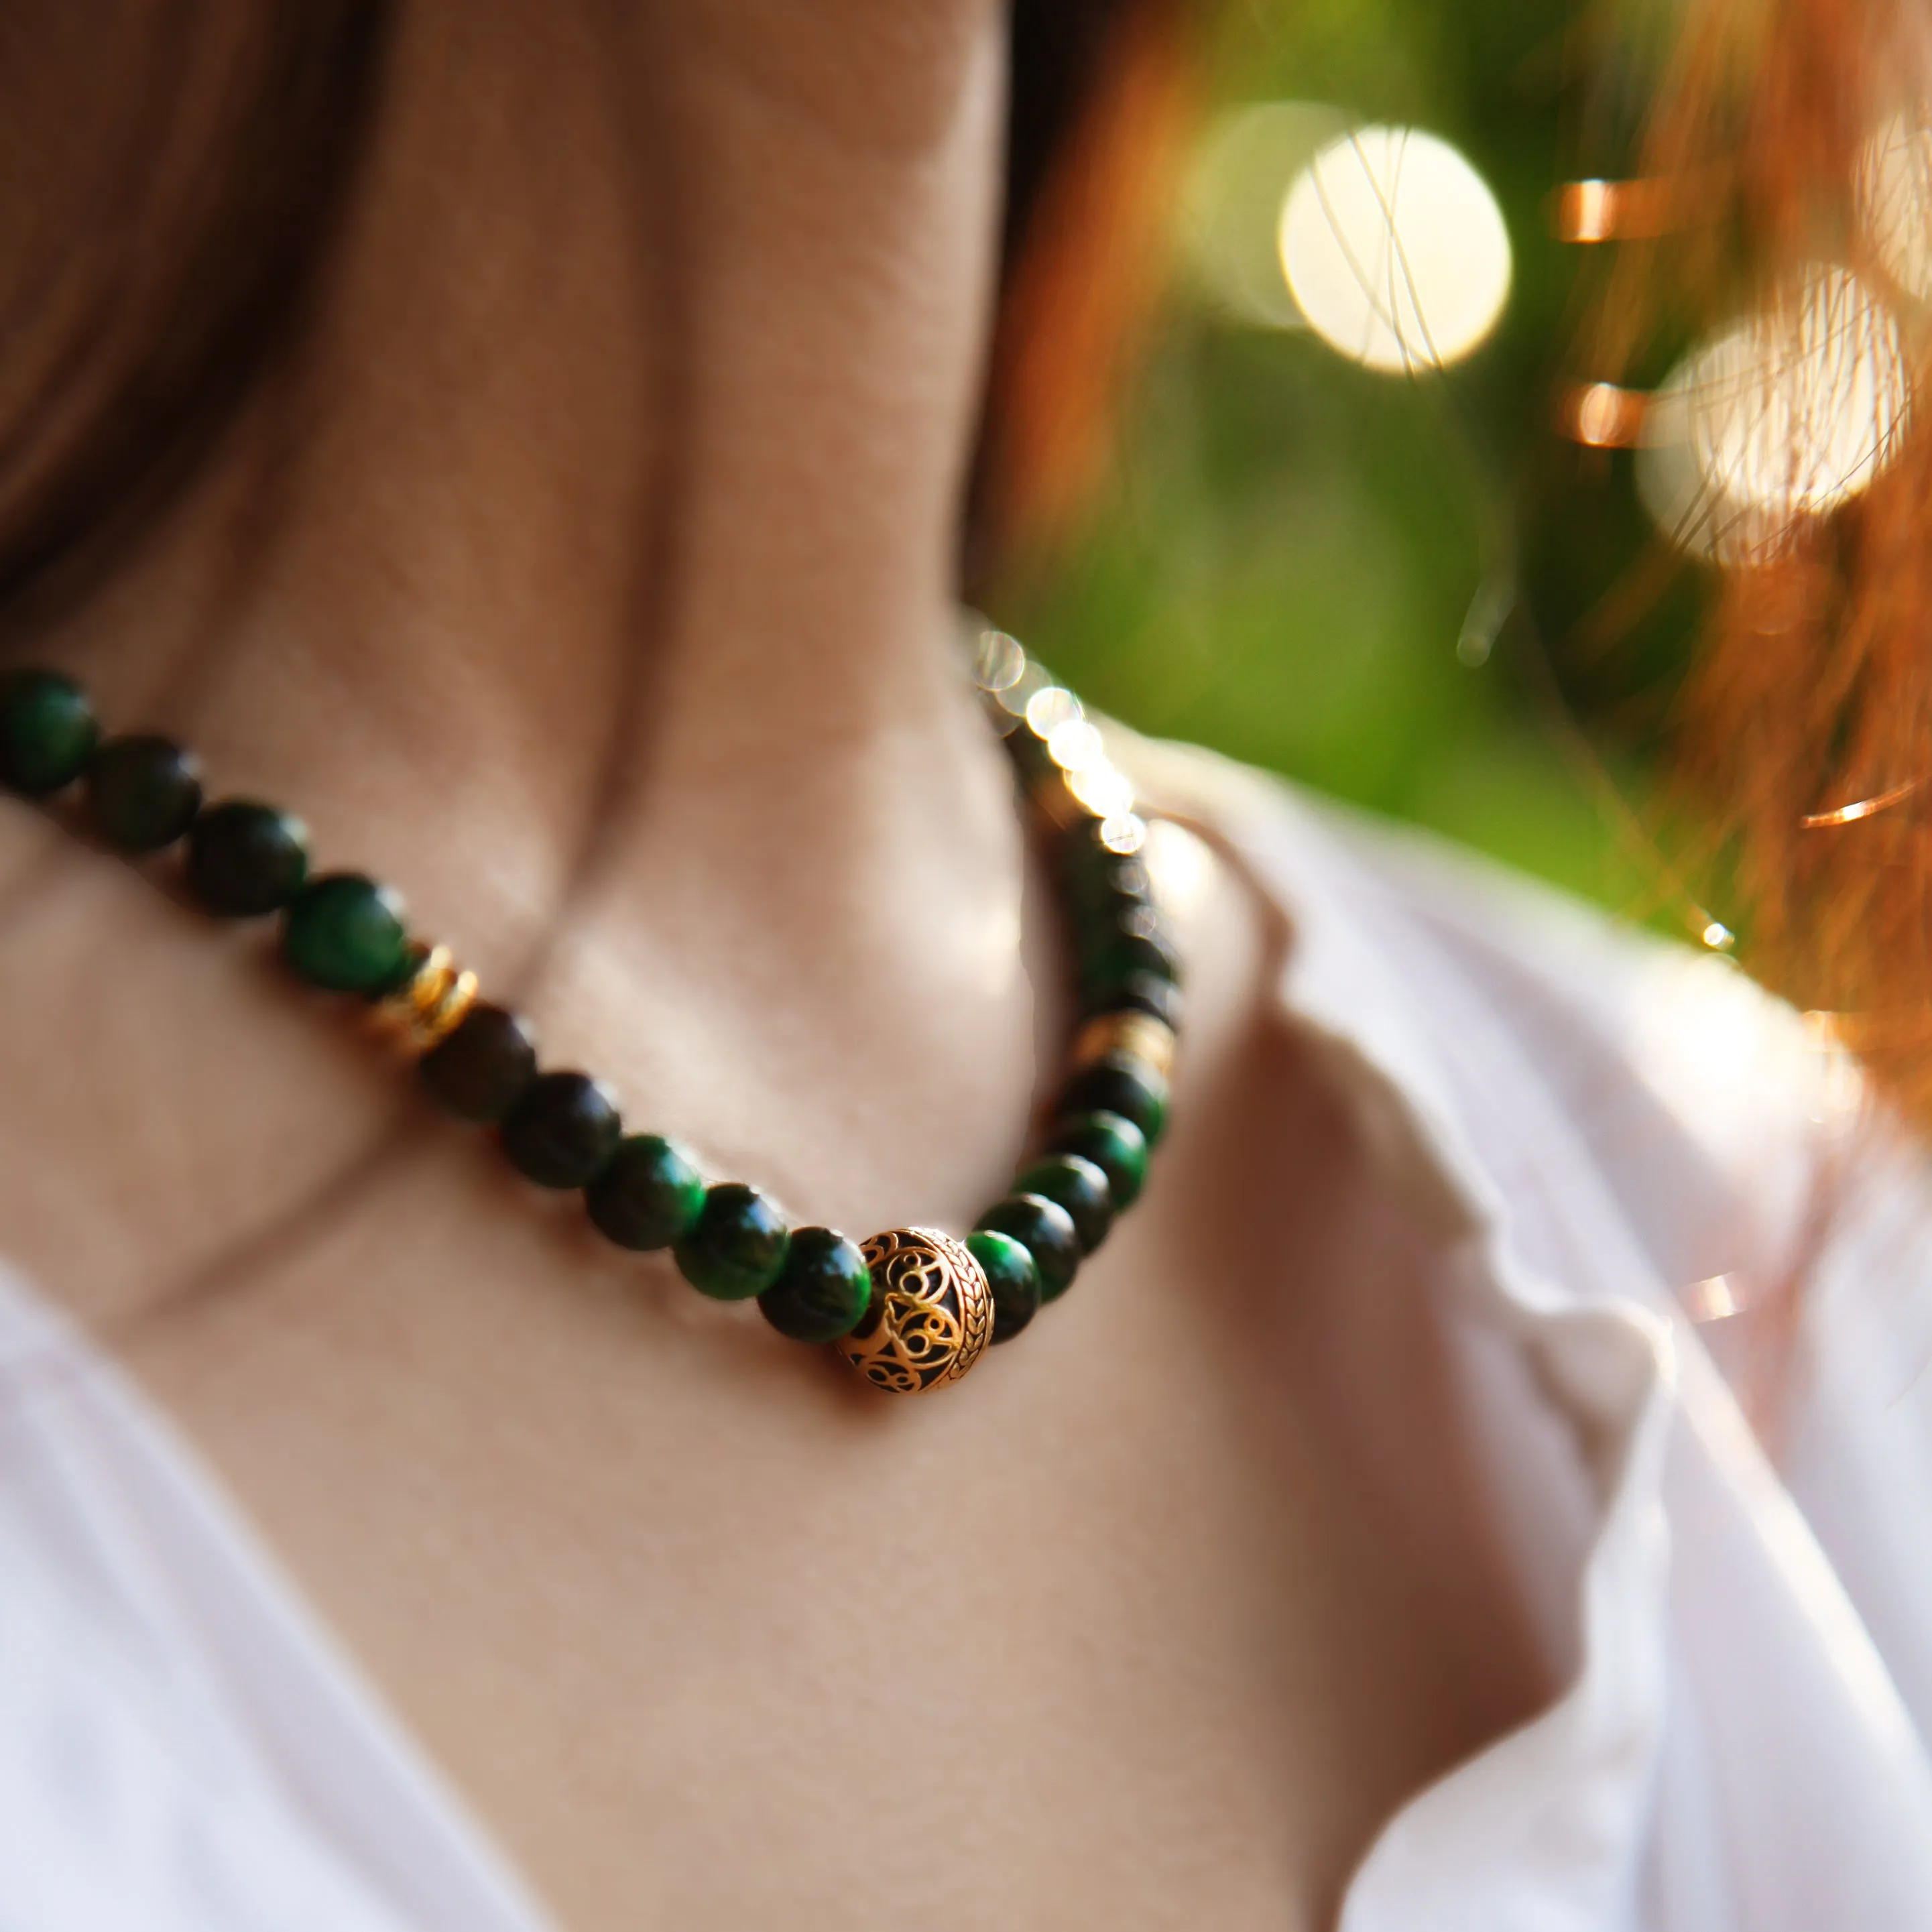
pixel 592 584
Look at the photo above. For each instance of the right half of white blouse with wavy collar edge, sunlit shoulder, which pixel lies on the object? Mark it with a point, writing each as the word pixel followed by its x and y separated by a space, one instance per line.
pixel 1645 1139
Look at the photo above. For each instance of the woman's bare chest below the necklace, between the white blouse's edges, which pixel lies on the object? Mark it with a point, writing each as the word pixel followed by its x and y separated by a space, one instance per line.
pixel 1133 1628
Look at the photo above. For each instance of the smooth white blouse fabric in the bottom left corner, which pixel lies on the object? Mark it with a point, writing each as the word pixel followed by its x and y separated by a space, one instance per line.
pixel 183 1747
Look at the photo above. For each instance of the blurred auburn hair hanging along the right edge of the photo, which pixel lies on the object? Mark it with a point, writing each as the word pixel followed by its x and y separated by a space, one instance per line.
pixel 1805 725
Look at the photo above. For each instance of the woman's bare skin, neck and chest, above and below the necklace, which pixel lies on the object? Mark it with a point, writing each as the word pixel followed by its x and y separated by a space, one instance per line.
pixel 658 345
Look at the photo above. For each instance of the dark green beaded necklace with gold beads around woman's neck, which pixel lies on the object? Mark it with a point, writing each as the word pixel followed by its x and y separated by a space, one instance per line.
pixel 911 1309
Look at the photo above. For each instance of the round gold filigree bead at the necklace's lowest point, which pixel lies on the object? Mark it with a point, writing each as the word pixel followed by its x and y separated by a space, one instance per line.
pixel 930 1317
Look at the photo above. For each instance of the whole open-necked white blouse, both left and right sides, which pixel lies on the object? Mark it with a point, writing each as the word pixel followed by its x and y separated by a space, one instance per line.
pixel 1641 1141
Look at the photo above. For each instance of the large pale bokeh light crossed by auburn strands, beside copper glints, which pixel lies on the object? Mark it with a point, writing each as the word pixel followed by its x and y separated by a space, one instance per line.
pixel 1776 420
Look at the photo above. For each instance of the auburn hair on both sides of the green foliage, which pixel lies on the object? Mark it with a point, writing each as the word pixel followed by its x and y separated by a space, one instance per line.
pixel 1811 685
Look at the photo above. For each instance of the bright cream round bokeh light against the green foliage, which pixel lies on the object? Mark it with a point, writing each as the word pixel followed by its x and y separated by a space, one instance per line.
pixel 1396 250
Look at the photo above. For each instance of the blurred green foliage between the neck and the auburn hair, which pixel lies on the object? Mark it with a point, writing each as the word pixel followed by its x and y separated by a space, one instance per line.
pixel 1288 548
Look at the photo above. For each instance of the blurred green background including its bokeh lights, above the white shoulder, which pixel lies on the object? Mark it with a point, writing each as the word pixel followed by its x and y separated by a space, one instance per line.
pixel 1313 467
